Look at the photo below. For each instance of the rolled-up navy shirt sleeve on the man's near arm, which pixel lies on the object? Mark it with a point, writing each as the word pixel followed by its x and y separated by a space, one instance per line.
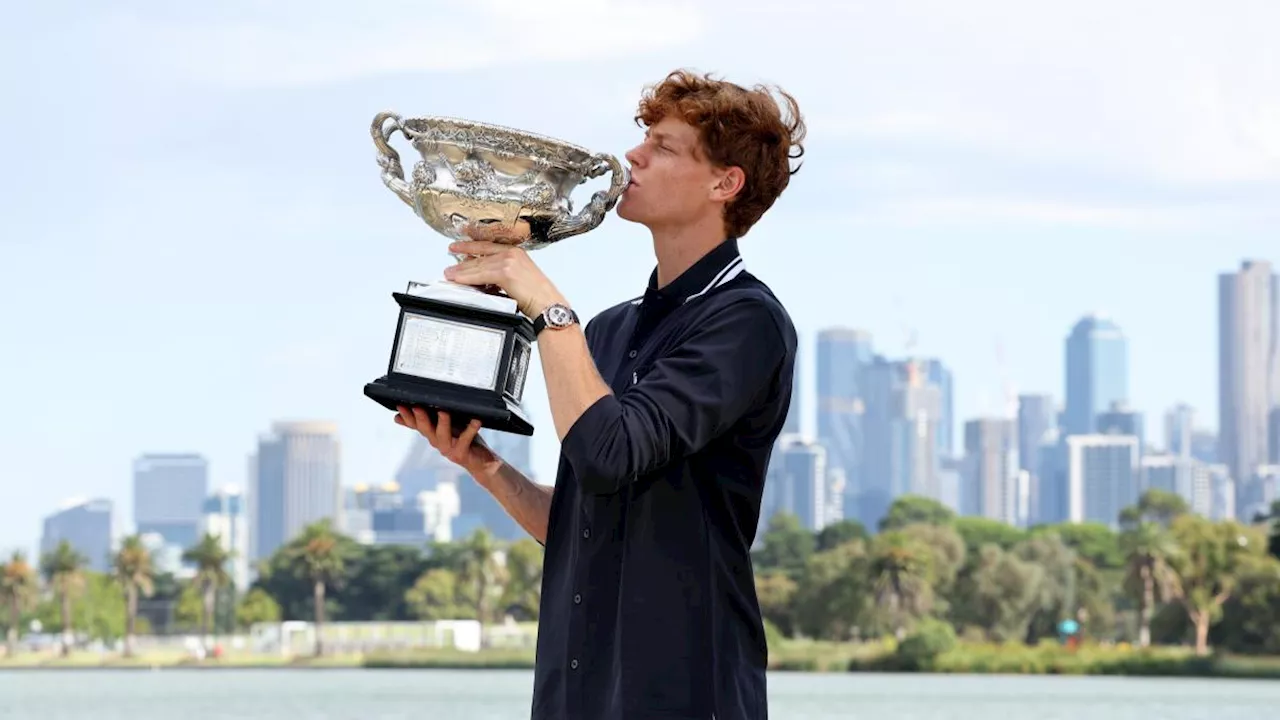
pixel 685 400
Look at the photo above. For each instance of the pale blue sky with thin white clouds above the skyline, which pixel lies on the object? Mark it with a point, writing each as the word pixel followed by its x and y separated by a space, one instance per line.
pixel 195 241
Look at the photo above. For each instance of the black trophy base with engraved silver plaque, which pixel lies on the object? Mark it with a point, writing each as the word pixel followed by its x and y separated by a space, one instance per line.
pixel 464 358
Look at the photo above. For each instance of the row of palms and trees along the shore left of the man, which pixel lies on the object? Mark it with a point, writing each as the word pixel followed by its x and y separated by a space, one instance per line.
pixel 319 576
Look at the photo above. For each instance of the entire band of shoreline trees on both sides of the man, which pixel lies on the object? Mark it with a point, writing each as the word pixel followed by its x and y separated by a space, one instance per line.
pixel 1165 577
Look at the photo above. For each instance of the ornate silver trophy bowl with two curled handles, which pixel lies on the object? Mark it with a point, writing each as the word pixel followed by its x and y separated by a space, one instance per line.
pixel 469 174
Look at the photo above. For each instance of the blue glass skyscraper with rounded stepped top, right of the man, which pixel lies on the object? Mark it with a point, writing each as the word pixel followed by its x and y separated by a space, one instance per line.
pixel 1098 372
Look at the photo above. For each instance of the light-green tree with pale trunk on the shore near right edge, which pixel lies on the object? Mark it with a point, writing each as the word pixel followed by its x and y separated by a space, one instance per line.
pixel 1212 560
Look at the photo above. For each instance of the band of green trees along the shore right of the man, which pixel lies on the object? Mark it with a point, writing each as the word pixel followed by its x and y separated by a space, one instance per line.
pixel 1165 577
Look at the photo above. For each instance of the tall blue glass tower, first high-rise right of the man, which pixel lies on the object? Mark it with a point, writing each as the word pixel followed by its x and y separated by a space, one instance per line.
pixel 843 354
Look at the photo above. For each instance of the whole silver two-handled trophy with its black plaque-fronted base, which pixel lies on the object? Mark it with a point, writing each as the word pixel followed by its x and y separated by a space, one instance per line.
pixel 461 349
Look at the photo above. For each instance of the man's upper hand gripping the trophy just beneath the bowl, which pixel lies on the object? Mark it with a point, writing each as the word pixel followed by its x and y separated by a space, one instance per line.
pixel 506 267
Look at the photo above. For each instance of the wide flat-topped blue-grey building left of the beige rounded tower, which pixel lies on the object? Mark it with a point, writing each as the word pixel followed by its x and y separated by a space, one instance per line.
pixel 170 493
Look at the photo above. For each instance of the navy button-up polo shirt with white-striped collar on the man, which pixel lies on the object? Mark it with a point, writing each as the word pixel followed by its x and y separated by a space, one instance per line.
pixel 650 605
